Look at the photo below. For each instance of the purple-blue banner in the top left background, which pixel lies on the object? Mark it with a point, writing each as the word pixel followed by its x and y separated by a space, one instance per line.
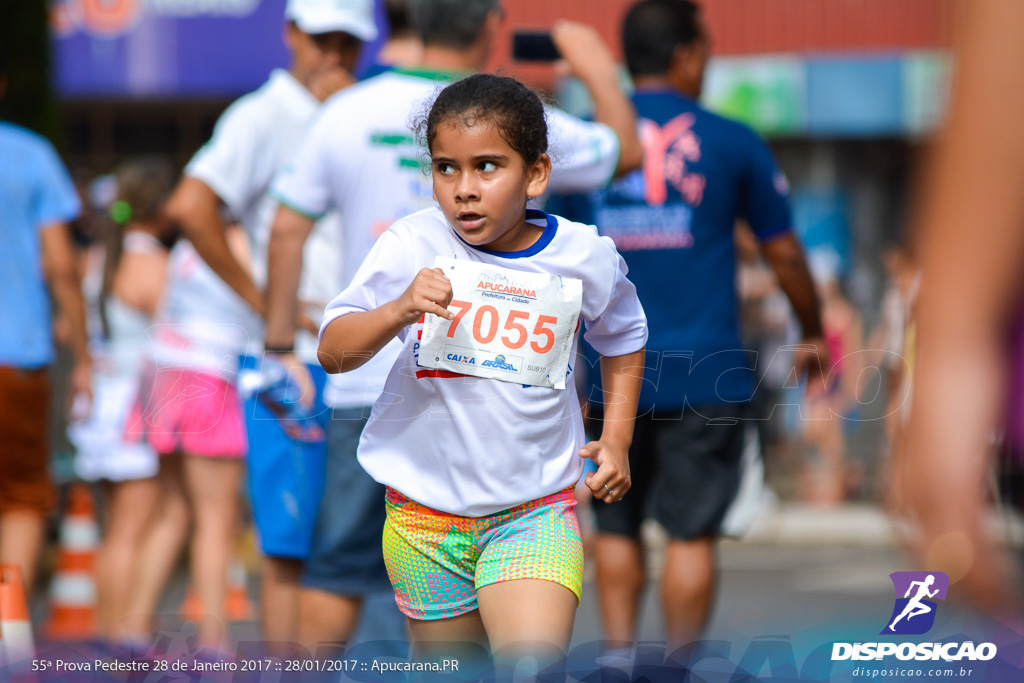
pixel 167 49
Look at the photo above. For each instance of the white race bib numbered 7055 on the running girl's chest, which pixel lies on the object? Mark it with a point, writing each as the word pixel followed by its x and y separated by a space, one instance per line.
pixel 509 325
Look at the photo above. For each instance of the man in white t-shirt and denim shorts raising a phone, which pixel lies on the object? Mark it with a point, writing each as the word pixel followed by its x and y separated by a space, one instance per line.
pixel 362 160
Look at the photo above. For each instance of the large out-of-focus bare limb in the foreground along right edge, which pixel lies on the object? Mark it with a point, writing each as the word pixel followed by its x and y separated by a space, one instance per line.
pixel 970 329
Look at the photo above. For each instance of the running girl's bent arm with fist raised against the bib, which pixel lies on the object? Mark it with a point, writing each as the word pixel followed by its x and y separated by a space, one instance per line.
pixel 353 339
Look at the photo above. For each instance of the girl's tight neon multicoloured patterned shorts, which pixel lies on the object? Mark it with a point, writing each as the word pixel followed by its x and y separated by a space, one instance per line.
pixel 437 562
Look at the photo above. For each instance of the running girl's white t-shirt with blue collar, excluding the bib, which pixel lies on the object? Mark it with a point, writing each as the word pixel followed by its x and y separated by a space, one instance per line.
pixel 470 446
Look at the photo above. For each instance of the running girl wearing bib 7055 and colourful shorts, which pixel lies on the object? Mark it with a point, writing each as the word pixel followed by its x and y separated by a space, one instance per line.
pixel 478 435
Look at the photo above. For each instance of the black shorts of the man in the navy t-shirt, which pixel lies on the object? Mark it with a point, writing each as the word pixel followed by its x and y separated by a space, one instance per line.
pixel 686 473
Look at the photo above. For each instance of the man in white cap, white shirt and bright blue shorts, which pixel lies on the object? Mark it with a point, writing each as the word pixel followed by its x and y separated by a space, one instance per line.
pixel 252 142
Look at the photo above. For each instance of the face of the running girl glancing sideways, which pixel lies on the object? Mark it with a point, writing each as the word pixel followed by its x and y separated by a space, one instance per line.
pixel 483 186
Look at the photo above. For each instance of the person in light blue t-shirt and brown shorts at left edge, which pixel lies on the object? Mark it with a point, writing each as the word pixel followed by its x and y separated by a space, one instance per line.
pixel 37 263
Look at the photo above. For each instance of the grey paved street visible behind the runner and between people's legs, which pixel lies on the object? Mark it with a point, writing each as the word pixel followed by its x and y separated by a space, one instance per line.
pixel 802 579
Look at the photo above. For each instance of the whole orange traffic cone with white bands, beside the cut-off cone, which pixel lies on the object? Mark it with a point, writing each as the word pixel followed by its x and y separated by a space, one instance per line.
pixel 73 593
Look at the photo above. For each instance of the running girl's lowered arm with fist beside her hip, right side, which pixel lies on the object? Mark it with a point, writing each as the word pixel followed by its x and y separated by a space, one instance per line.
pixel 622 377
